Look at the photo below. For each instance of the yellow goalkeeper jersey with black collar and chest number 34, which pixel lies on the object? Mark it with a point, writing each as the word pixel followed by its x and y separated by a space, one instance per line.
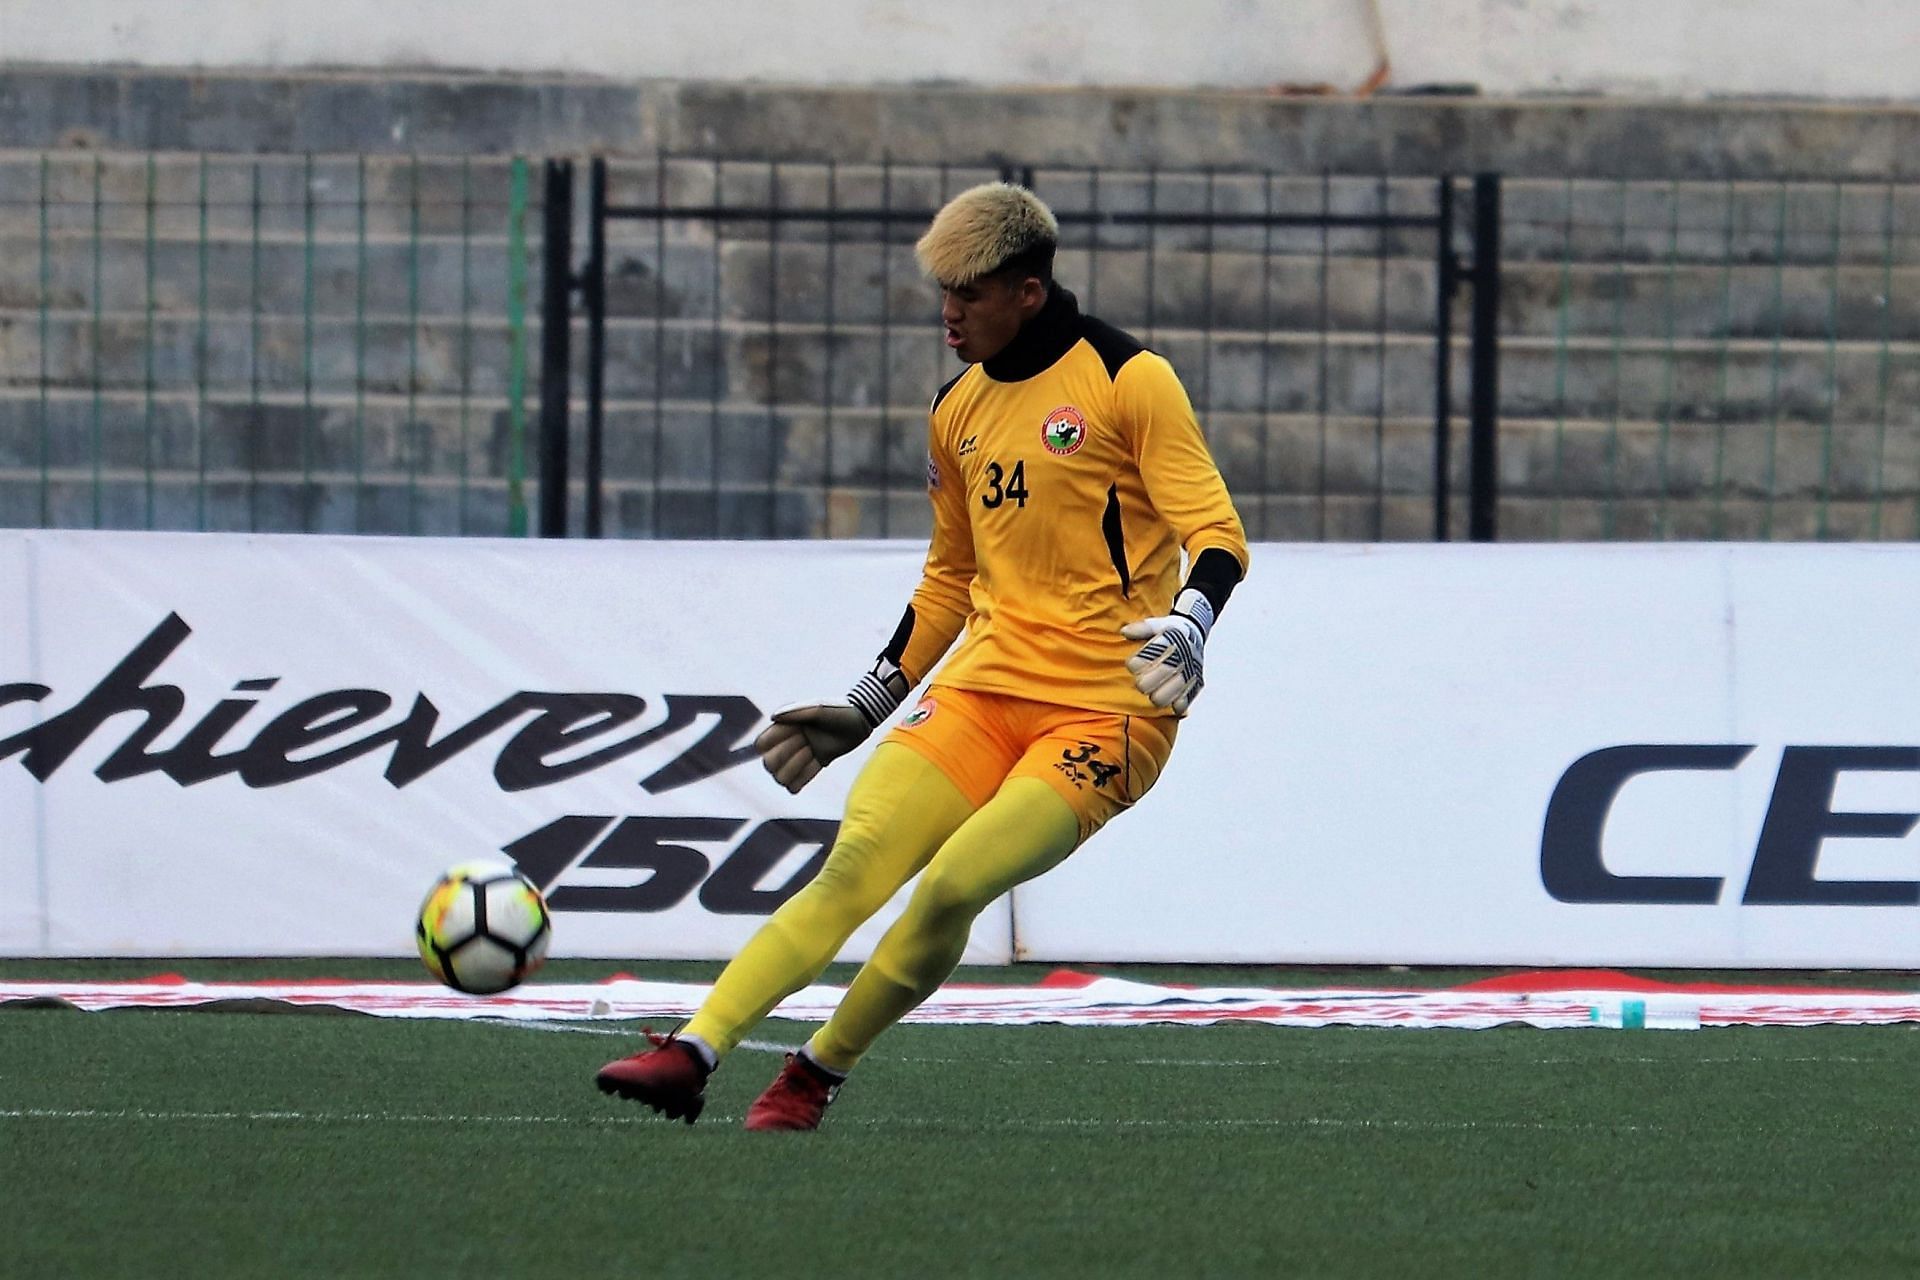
pixel 1067 477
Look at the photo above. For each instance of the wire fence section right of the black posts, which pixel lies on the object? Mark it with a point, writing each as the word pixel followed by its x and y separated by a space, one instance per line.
pixel 1712 362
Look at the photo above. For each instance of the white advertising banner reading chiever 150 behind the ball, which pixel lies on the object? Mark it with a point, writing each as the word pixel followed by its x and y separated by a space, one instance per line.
pixel 274 746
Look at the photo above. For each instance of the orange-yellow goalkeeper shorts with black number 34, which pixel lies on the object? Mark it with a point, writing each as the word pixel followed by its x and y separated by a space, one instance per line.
pixel 1099 763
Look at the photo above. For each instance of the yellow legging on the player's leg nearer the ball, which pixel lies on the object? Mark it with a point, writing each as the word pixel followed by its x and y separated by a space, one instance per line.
pixel 900 811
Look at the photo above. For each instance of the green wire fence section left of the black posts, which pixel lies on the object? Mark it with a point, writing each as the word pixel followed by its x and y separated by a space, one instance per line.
pixel 312 343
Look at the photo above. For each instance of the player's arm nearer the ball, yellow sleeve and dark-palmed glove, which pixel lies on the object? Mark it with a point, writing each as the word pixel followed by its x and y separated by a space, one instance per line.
pixel 805 740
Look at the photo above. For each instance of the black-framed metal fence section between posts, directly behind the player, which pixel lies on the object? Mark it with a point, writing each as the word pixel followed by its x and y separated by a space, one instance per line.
pixel 759 346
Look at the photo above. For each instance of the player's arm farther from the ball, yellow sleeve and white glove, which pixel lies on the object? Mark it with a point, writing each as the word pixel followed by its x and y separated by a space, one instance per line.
pixel 1188 490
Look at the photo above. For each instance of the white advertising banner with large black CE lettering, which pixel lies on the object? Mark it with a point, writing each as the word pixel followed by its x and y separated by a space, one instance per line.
pixel 1685 755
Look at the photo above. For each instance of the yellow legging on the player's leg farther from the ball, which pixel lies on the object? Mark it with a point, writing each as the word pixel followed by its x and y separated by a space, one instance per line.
pixel 1026 830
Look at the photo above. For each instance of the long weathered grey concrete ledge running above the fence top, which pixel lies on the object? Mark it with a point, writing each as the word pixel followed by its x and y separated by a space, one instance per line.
pixel 402 114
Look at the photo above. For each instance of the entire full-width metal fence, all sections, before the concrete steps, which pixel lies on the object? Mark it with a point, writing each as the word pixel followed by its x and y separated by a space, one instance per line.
pixel 347 344
